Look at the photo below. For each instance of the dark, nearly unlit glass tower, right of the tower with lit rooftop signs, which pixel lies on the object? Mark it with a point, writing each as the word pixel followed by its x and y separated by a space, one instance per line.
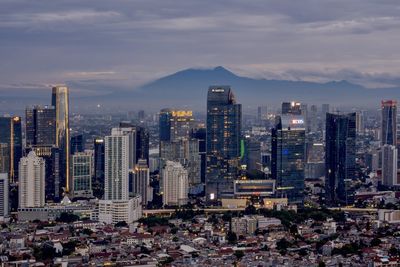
pixel 340 155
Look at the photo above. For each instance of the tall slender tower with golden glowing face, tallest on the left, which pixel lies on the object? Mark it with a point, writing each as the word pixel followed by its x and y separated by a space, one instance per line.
pixel 60 101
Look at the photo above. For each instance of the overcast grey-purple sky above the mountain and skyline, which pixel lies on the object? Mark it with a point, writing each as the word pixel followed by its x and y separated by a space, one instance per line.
pixel 122 44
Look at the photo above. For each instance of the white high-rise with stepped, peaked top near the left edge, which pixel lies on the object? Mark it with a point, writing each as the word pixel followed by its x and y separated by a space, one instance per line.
pixel 31 181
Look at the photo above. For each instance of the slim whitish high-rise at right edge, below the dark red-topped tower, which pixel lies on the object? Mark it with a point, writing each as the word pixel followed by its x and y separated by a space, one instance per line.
pixel 389 165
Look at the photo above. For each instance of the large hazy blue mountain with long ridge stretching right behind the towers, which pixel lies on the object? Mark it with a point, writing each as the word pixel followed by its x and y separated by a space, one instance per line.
pixel 189 87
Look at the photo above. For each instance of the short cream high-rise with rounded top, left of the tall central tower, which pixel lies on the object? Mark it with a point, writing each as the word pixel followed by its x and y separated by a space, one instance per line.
pixel 175 184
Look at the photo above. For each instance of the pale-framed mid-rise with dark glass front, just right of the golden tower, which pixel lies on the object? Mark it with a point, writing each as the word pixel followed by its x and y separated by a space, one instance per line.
pixel 82 172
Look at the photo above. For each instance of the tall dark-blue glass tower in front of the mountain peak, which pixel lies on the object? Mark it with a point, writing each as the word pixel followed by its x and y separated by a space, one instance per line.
pixel 223 141
